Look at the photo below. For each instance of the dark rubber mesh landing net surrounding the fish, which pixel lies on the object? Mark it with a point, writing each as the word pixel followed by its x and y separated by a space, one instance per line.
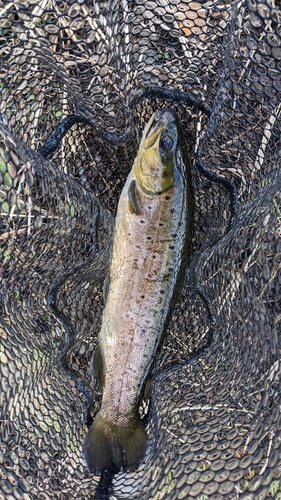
pixel 214 413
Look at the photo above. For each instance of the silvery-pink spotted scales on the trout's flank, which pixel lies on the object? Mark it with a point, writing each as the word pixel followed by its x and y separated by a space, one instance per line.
pixel 140 294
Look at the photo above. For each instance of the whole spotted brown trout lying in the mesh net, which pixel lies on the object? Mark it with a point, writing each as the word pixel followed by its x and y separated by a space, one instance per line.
pixel 150 254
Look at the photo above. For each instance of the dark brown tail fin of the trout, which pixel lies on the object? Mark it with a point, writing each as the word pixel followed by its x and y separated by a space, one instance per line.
pixel 113 448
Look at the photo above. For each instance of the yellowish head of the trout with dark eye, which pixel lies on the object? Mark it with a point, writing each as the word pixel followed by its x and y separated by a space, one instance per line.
pixel 156 158
